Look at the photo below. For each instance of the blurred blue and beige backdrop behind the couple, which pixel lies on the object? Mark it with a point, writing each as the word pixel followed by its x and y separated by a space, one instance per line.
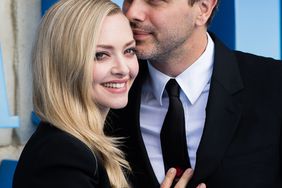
pixel 247 25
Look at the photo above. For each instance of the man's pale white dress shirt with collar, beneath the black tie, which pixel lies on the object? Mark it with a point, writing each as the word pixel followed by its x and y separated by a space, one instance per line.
pixel 195 84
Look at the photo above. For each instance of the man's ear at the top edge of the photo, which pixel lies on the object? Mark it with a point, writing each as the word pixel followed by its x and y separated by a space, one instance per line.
pixel 206 7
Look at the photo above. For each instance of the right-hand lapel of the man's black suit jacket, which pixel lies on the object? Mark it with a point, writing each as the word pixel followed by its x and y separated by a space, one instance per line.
pixel 222 112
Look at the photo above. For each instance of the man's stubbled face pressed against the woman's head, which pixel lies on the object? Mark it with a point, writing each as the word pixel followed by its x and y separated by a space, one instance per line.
pixel 160 27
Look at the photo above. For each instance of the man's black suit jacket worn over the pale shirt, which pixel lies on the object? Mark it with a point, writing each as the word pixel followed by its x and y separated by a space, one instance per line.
pixel 241 142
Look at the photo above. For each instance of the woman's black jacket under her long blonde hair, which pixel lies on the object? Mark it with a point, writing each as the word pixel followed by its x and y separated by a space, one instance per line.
pixel 55 159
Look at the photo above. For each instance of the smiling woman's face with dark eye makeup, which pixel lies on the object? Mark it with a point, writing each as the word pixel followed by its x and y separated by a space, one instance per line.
pixel 116 64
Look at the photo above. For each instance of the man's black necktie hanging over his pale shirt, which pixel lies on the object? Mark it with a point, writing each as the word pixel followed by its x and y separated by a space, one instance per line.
pixel 173 137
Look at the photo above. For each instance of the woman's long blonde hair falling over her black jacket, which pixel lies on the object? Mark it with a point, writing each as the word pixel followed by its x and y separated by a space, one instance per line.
pixel 62 77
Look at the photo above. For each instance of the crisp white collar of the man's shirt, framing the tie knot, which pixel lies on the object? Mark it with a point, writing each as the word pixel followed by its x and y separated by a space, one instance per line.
pixel 192 81
